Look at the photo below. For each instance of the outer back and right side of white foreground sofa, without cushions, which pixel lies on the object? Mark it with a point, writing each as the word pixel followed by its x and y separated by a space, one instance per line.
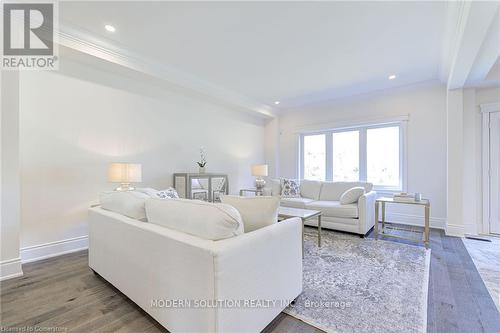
pixel 150 263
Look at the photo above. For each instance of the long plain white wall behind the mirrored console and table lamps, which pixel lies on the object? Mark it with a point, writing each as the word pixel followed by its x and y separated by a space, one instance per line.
pixel 75 121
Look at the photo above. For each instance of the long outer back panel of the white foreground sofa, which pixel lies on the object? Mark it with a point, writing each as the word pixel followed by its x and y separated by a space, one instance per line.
pixel 148 262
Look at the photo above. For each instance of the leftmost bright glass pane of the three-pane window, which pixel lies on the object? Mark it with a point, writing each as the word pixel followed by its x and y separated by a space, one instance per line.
pixel 314 157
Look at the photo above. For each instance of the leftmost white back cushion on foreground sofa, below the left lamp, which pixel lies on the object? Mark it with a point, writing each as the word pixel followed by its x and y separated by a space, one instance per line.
pixel 128 203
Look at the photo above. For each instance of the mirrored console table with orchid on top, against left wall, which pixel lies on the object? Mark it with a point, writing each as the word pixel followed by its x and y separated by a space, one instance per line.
pixel 201 186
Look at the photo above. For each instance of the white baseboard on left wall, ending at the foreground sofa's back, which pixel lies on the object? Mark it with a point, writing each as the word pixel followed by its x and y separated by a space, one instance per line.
pixel 53 249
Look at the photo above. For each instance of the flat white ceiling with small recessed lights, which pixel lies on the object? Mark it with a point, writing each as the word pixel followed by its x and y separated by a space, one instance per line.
pixel 294 52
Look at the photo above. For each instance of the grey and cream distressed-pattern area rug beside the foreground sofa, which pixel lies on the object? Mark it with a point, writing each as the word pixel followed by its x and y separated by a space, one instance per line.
pixel 363 285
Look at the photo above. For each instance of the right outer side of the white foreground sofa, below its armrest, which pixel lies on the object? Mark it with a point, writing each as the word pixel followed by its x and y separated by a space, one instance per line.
pixel 265 264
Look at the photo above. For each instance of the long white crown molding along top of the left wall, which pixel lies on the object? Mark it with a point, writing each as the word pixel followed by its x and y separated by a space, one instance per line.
pixel 89 44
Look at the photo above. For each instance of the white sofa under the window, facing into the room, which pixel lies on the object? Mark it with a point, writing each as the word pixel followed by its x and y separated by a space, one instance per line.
pixel 357 218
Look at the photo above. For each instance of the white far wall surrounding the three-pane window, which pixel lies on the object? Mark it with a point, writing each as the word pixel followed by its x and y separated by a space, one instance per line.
pixel 426 139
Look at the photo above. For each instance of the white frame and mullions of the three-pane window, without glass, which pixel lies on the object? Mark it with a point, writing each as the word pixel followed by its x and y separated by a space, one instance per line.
pixel 402 124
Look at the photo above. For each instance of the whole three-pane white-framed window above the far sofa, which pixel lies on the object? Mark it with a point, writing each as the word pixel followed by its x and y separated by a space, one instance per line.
pixel 371 153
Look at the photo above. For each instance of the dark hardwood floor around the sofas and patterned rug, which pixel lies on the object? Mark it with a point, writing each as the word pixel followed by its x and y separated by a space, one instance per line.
pixel 63 294
